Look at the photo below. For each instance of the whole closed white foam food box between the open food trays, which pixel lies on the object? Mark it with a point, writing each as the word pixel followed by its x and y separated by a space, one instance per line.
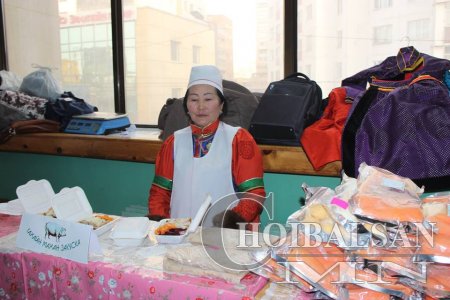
pixel 130 231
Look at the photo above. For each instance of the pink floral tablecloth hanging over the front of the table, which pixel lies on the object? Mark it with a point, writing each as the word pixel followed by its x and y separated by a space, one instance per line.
pixel 28 275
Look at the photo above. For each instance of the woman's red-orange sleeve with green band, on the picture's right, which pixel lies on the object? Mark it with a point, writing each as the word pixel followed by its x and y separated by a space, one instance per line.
pixel 248 172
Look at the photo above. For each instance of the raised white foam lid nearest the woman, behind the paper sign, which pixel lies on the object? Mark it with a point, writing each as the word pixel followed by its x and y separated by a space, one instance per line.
pixel 71 204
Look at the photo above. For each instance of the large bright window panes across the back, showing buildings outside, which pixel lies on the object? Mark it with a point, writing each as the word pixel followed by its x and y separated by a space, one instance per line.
pixel 245 39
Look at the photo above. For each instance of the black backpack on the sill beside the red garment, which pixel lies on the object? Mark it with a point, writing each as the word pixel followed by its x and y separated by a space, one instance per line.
pixel 286 108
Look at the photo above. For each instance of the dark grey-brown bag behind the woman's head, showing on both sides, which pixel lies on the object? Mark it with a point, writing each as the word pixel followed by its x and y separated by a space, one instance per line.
pixel 241 104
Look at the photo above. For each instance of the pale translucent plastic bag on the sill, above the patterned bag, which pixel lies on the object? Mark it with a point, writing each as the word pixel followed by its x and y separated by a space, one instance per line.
pixel 41 83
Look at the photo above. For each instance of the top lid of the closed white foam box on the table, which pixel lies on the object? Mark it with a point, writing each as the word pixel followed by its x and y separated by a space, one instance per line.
pixel 131 228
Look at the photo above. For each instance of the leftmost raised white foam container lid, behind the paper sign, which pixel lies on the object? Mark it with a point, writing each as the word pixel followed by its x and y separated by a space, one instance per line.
pixel 35 196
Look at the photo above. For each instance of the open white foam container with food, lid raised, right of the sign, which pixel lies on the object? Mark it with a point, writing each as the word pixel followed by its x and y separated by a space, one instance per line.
pixel 71 204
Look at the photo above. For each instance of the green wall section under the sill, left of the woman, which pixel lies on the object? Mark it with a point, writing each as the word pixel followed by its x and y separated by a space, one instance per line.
pixel 110 186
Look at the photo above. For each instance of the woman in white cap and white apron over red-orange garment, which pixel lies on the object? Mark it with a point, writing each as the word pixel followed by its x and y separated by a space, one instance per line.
pixel 207 157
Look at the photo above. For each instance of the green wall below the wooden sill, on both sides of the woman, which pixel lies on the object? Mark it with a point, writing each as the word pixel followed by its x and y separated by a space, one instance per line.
pixel 113 186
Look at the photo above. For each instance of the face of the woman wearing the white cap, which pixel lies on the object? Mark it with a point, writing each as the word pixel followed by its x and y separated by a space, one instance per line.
pixel 203 104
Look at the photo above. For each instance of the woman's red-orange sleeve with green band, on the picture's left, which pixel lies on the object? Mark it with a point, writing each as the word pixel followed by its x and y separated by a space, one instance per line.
pixel 161 189
